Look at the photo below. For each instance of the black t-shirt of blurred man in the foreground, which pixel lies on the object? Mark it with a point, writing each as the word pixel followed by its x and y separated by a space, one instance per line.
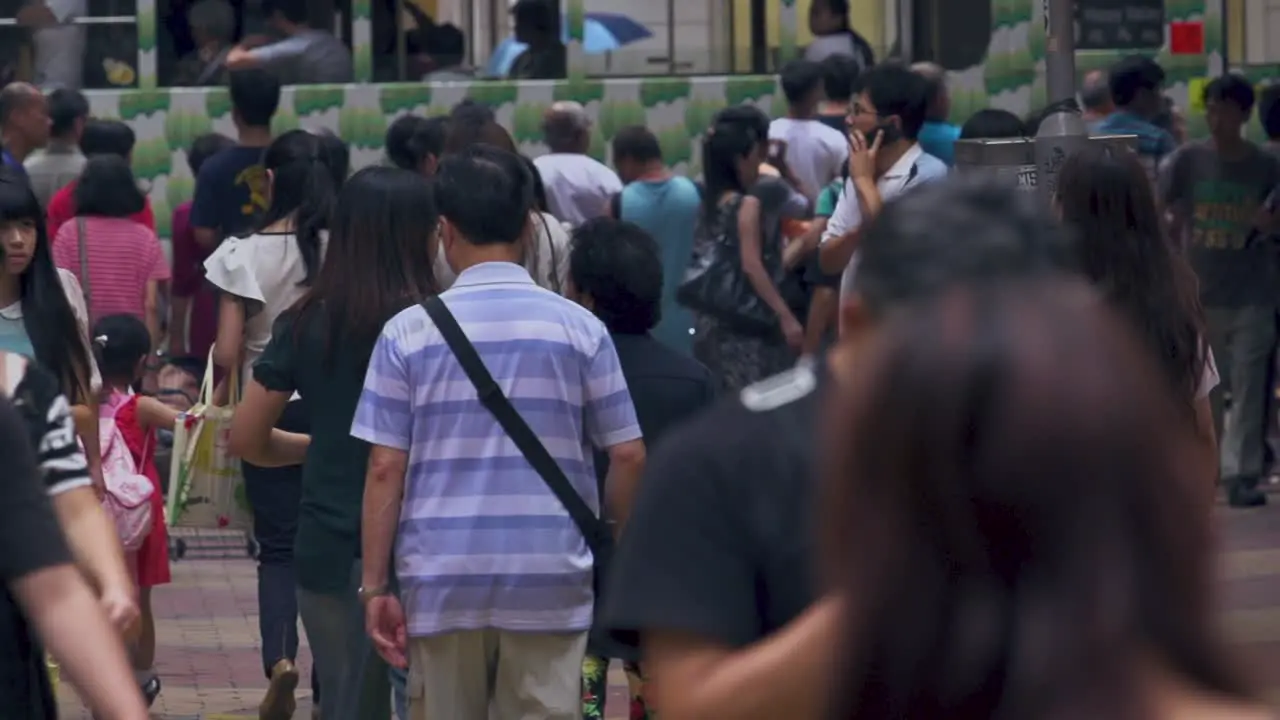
pixel 720 544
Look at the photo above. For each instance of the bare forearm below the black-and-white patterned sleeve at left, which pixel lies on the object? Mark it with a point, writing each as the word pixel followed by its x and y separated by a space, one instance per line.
pixel 93 540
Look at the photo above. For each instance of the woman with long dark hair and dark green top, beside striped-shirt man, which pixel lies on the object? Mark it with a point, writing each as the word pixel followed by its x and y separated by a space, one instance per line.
pixel 378 265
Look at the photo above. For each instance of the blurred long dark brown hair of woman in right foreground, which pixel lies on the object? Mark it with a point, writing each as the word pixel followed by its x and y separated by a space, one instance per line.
pixel 1016 518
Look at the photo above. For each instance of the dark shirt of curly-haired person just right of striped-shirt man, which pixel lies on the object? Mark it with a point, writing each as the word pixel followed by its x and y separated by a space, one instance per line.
pixel 666 388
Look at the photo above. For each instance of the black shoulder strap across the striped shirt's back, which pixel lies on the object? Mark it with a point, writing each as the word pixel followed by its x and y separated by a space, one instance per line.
pixel 596 532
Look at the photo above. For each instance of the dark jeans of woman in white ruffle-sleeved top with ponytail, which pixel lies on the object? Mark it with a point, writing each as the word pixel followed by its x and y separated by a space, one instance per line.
pixel 275 495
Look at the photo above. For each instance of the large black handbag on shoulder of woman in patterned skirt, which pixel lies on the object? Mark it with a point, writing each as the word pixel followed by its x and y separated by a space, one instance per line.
pixel 716 285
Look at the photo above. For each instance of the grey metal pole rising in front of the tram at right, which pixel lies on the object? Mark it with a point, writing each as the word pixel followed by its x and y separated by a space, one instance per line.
pixel 1063 133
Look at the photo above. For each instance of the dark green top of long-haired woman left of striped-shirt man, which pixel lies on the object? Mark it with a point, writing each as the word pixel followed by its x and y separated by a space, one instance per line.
pixel 333 476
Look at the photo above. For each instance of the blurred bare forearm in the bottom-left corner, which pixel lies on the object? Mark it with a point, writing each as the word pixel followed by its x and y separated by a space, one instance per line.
pixel 81 640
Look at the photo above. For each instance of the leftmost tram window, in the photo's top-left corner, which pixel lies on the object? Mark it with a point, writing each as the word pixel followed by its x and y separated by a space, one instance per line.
pixel 97 48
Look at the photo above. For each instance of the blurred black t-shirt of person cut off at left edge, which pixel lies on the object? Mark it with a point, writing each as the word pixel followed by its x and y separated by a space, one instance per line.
pixel 30 541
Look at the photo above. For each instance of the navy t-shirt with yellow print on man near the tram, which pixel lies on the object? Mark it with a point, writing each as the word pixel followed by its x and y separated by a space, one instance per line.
pixel 231 192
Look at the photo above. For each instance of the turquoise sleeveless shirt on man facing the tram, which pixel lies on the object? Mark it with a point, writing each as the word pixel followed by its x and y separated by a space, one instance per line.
pixel 668 209
